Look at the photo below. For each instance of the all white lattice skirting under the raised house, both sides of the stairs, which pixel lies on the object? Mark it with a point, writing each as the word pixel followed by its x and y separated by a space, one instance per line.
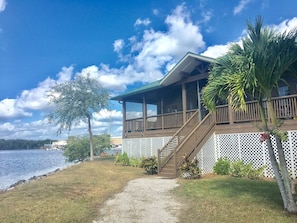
pixel 242 146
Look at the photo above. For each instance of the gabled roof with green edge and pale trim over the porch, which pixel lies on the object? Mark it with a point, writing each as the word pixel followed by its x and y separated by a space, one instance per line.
pixel 186 64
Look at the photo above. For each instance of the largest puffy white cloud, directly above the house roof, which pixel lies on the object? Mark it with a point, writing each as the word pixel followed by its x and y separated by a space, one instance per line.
pixel 152 55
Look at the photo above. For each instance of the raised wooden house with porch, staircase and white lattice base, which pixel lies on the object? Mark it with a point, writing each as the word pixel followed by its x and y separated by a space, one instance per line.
pixel 166 118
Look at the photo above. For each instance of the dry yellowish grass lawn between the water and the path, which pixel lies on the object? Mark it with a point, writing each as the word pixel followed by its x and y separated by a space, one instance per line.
pixel 71 195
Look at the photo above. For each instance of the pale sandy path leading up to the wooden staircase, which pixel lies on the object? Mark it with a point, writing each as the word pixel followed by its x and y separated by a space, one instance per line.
pixel 144 200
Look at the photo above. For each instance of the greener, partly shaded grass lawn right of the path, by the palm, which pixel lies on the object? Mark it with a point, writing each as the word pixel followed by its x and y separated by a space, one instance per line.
pixel 230 199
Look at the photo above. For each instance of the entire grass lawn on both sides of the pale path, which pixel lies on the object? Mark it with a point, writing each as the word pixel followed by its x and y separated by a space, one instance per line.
pixel 76 194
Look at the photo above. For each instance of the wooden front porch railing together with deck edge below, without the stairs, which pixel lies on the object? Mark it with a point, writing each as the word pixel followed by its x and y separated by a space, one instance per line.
pixel 226 119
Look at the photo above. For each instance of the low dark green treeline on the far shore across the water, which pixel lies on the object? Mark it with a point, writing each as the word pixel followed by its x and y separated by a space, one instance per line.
pixel 23 144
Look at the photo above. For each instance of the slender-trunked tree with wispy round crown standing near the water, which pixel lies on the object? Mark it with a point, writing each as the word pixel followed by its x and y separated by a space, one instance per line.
pixel 75 101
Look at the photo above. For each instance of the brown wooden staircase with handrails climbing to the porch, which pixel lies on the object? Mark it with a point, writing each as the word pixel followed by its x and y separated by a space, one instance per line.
pixel 188 140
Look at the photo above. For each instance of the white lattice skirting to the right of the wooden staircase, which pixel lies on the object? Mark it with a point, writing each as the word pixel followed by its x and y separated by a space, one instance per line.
pixel 246 147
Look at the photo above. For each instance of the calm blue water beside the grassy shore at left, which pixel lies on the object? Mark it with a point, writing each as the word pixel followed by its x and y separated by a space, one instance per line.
pixel 18 165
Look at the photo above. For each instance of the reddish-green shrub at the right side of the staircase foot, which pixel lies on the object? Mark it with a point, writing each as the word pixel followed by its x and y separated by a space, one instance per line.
pixel 190 169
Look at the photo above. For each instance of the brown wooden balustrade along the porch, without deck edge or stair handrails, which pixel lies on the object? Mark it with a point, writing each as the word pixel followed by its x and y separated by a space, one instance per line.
pixel 285 108
